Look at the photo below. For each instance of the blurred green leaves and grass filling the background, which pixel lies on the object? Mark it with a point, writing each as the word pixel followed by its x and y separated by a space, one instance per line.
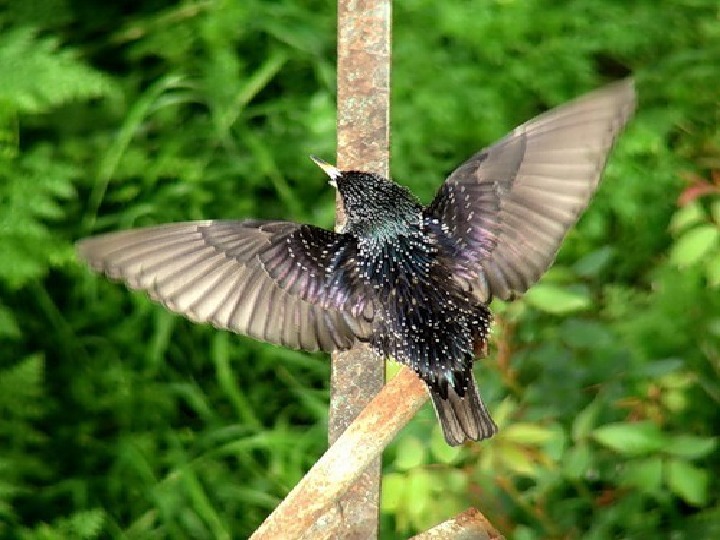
pixel 119 420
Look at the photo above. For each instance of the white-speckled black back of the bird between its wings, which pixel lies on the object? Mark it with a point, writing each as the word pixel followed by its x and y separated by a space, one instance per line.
pixel 426 320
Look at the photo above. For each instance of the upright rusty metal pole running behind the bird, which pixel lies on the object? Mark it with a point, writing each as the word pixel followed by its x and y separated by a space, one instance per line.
pixel 363 136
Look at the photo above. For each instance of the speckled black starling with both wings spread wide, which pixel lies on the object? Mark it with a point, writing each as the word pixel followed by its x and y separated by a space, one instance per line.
pixel 413 282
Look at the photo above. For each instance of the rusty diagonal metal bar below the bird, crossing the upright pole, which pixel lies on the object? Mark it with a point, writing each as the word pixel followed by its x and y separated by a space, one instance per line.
pixel 344 462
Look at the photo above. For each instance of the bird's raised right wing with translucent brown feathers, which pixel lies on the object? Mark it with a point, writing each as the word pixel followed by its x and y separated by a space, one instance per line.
pixel 507 209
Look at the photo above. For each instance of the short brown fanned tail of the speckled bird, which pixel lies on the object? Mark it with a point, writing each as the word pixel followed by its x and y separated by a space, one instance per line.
pixel 462 418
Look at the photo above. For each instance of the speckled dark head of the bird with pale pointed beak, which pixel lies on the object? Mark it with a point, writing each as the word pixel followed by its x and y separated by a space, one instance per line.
pixel 372 202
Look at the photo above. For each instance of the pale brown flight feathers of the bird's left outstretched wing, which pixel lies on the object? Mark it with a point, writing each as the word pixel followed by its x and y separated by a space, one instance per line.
pixel 210 271
